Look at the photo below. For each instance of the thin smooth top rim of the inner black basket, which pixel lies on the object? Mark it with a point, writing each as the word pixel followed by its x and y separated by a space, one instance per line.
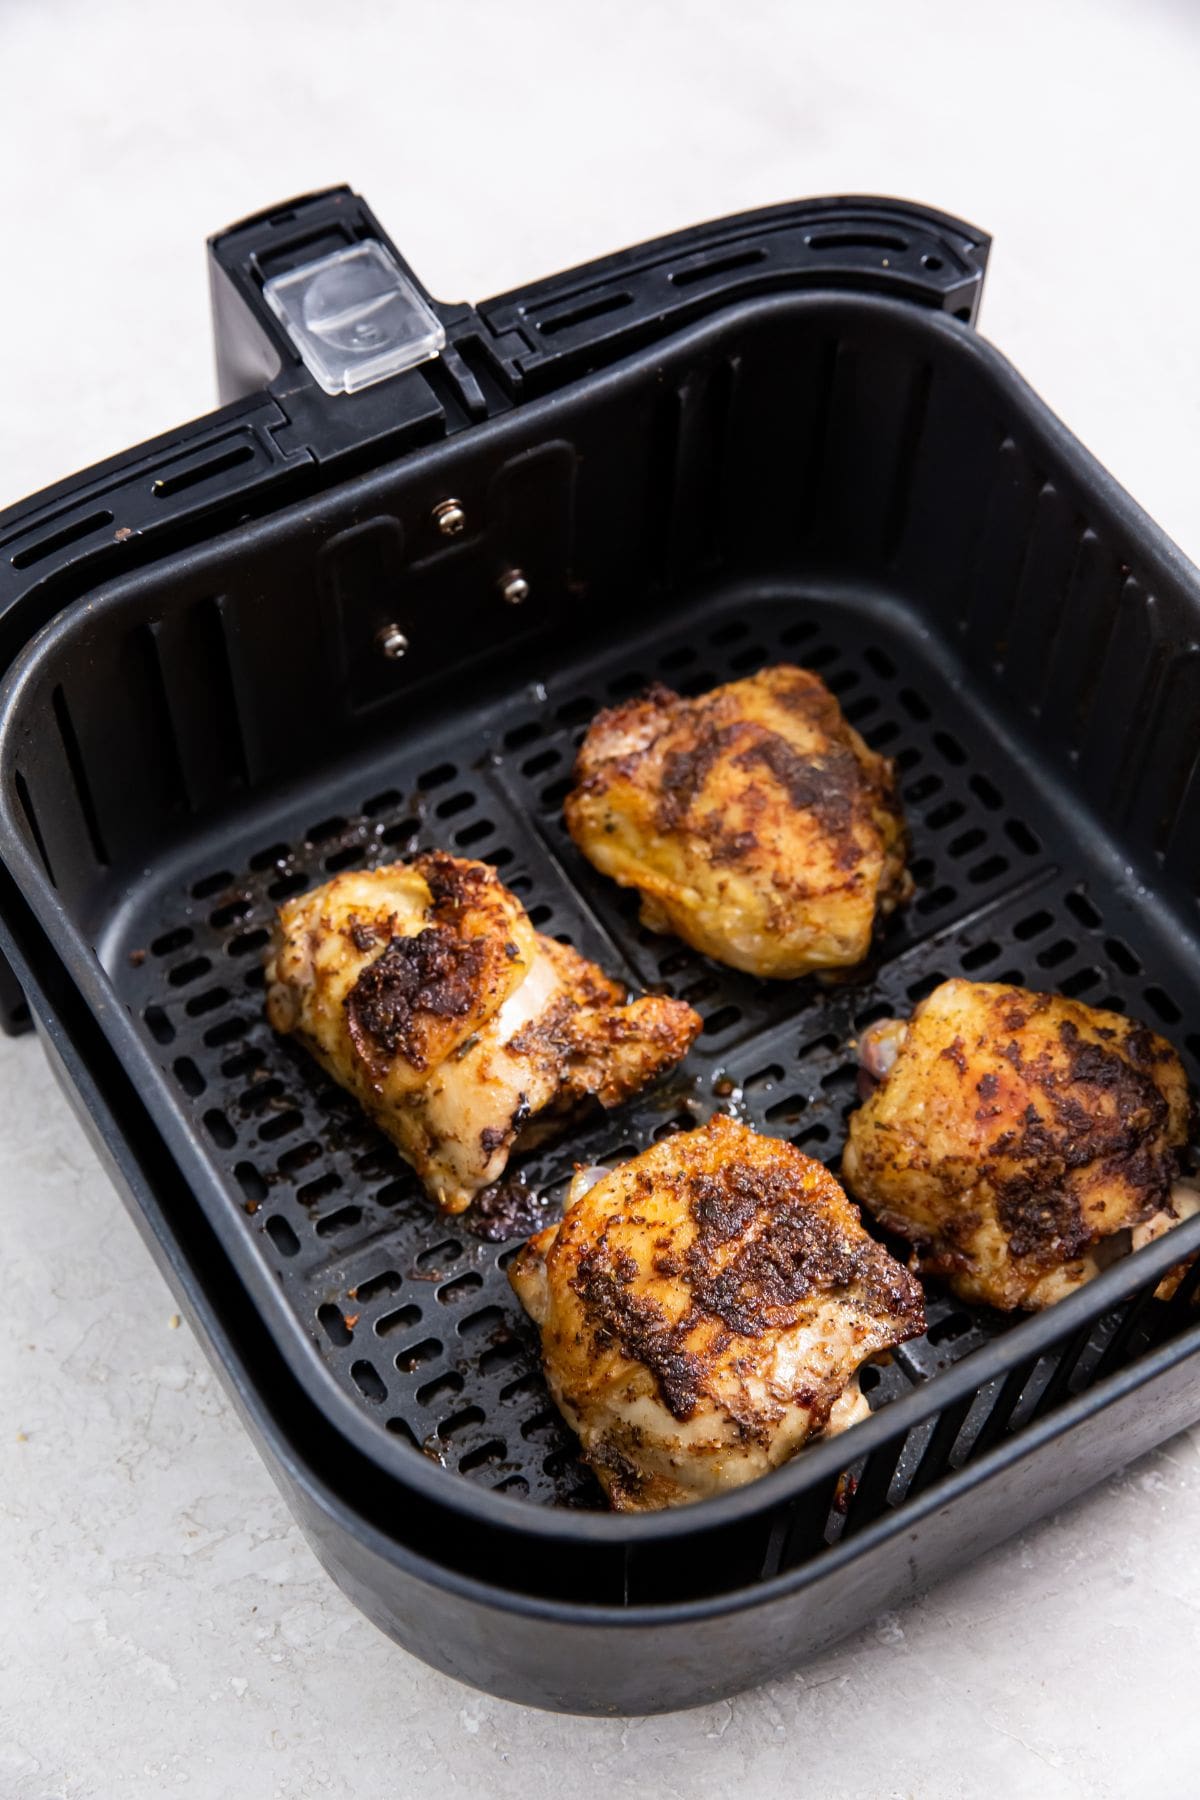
pixel 91 982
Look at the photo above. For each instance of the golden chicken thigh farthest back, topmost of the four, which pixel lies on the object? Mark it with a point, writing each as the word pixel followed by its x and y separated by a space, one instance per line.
pixel 755 822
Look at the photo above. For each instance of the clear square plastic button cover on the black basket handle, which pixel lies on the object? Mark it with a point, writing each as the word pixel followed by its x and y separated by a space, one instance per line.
pixel 355 318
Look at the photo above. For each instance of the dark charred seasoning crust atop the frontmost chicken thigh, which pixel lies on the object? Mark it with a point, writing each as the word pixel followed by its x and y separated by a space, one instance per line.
pixel 796 1250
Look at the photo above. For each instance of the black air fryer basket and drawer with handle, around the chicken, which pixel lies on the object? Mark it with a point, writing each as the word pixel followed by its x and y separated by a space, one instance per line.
pixel 318 631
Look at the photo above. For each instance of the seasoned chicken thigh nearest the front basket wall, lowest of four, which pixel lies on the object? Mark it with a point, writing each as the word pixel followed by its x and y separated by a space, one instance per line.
pixel 704 1313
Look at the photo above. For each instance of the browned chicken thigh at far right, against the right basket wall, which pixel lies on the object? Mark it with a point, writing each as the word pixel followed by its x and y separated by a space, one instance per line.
pixel 1021 1140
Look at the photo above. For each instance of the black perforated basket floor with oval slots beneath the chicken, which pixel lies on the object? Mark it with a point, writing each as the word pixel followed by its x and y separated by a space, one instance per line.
pixel 413 1313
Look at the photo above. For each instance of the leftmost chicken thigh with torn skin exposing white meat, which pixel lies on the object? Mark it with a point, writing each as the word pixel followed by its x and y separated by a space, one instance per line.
pixel 461 1030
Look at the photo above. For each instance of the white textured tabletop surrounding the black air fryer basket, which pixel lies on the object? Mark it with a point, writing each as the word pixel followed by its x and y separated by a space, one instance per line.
pixel 161 1621
